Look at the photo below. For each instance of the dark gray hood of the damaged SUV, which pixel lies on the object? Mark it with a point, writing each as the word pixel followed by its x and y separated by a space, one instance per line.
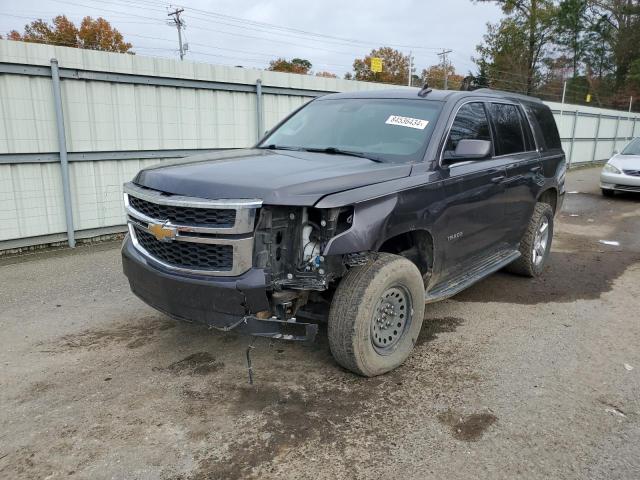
pixel 276 177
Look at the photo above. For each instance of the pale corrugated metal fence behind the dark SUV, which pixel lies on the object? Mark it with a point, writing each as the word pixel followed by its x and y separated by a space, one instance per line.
pixel 73 130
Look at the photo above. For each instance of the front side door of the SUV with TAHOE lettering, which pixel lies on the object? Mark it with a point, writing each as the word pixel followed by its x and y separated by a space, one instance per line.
pixel 473 195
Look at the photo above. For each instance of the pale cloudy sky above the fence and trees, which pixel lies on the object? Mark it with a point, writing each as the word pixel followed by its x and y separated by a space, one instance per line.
pixel 331 33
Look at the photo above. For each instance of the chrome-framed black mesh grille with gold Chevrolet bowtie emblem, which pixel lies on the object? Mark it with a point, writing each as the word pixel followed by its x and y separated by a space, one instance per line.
pixel 192 235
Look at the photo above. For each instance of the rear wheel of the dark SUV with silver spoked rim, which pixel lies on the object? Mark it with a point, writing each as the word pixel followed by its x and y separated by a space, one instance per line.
pixel 526 265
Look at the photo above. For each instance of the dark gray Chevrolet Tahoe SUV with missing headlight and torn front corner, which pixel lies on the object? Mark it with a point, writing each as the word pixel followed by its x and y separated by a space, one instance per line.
pixel 356 210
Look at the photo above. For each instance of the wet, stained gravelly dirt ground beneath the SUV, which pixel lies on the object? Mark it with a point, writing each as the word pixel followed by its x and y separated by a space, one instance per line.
pixel 512 378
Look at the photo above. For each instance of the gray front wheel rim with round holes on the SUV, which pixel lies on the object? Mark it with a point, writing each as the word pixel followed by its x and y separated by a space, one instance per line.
pixel 391 319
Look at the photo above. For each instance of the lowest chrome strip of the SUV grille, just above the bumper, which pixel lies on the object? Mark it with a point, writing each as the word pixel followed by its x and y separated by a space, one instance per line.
pixel 242 256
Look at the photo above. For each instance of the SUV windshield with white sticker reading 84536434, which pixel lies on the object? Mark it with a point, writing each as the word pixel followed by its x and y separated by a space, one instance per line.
pixel 393 130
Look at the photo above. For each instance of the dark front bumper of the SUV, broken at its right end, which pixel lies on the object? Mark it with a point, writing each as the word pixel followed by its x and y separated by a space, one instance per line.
pixel 222 303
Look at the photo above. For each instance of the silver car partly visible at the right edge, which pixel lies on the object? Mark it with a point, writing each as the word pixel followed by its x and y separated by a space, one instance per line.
pixel 622 172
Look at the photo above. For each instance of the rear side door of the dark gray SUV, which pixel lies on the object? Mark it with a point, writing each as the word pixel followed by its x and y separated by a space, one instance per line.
pixel 516 145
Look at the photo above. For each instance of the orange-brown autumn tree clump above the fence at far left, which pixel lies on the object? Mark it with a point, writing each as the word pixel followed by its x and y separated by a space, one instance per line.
pixel 93 34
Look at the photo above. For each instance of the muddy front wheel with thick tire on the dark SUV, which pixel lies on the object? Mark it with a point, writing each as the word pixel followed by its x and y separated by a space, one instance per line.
pixel 355 315
